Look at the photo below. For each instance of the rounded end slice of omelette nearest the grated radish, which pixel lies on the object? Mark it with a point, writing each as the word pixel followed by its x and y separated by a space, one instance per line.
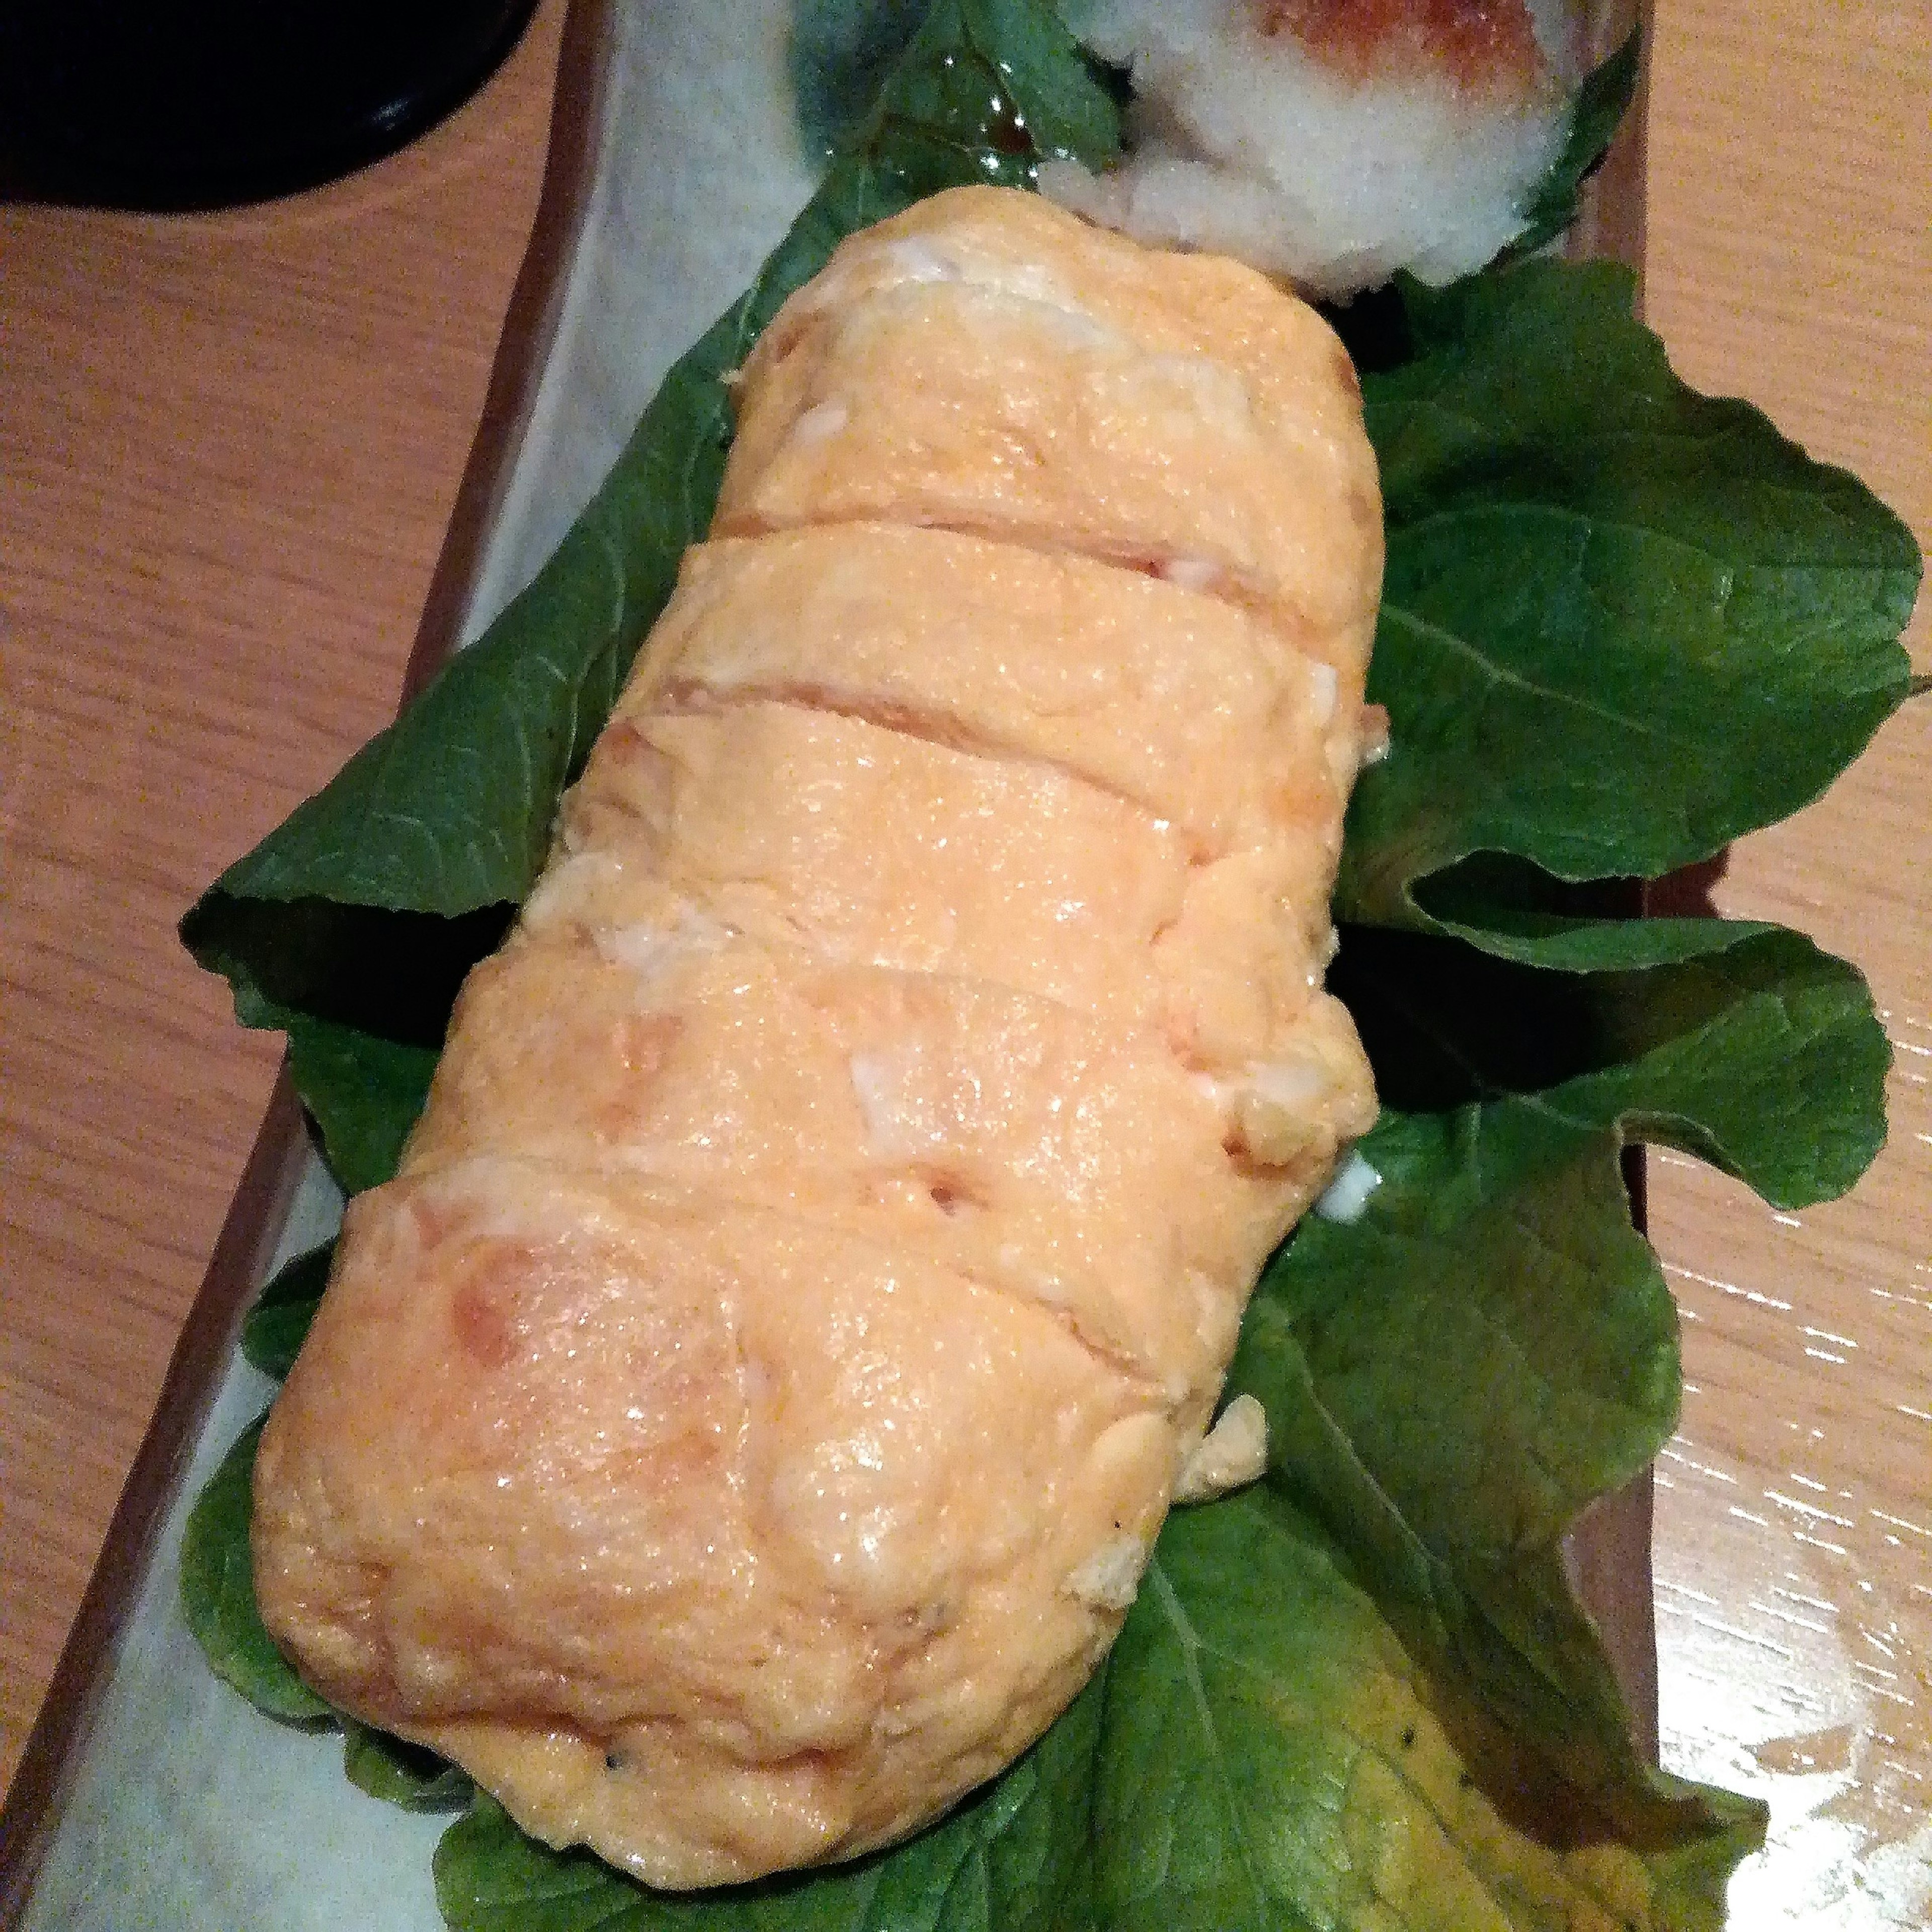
pixel 1025 378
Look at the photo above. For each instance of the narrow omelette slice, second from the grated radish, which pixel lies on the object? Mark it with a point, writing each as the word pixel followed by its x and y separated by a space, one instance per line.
pixel 1176 702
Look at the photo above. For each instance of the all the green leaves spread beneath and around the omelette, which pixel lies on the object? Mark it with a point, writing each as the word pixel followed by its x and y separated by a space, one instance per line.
pixel 1624 625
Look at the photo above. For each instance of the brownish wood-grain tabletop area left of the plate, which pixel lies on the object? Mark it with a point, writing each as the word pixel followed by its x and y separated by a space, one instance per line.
pixel 229 451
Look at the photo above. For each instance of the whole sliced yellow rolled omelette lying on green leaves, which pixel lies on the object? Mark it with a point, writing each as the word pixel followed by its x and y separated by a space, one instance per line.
pixel 743 1425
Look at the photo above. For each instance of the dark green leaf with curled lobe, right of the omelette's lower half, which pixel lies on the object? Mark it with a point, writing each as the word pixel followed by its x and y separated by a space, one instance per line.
pixel 1460 1375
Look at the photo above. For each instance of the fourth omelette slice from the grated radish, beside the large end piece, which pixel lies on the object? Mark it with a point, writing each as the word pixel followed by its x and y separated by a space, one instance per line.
pixel 944 1116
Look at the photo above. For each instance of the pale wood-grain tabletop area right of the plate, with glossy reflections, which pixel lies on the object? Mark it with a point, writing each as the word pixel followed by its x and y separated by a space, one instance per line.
pixel 1790 260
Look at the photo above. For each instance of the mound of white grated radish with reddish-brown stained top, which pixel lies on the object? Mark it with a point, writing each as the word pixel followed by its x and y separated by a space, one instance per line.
pixel 1330 142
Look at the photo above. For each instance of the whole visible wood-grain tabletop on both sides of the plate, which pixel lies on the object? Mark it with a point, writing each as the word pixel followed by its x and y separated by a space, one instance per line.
pixel 229 449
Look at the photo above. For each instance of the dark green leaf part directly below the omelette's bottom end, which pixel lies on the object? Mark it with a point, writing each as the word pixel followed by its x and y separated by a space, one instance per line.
pixel 1015 1858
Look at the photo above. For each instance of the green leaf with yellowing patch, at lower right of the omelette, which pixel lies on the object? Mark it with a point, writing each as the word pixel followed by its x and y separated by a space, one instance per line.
pixel 1276 1759
